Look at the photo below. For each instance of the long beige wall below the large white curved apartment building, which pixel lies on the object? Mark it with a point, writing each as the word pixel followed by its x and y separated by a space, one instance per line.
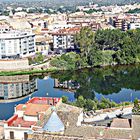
pixel 12 65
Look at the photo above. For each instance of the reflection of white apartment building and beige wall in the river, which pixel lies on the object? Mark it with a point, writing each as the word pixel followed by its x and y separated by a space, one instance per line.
pixel 16 86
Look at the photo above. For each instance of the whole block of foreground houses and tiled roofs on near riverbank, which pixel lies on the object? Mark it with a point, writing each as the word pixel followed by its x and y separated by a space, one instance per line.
pixel 48 118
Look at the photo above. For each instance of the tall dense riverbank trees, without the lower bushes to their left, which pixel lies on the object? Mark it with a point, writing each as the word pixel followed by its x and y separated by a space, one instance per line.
pixel 109 47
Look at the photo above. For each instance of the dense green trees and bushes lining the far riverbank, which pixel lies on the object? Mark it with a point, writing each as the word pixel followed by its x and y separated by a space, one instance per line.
pixel 105 47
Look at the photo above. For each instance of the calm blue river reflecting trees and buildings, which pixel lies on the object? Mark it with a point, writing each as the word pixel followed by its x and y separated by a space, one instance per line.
pixel 119 83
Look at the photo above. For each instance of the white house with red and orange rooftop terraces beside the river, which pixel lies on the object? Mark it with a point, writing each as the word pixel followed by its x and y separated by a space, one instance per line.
pixel 27 116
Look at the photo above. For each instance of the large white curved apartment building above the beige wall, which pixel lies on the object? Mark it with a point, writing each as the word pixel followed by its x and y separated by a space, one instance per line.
pixel 16 44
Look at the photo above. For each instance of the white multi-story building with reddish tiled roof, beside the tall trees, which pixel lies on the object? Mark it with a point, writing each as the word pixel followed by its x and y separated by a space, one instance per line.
pixel 63 39
